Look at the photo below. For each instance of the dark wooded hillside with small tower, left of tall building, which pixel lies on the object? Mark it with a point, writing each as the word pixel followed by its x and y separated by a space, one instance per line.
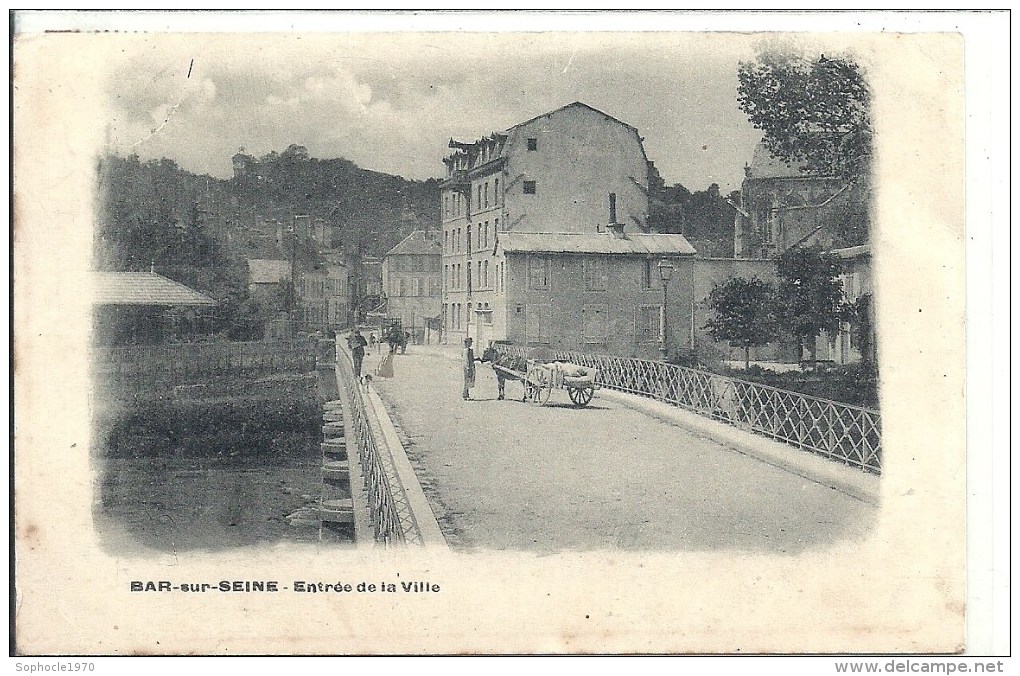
pixel 158 214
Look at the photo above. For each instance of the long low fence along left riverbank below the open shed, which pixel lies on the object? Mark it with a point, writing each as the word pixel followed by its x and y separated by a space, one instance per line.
pixel 188 362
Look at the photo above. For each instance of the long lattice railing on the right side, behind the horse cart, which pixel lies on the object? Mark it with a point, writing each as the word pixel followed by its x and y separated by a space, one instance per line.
pixel 850 435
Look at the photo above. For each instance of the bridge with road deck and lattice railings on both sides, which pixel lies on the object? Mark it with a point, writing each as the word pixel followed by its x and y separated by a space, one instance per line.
pixel 627 472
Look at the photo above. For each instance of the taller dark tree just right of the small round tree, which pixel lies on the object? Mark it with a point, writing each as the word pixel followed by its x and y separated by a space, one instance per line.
pixel 810 295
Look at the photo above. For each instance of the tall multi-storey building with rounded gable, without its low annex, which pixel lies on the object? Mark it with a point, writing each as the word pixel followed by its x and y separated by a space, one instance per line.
pixel 573 171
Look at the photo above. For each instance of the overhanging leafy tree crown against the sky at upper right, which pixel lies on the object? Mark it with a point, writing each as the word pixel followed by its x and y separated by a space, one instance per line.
pixel 814 114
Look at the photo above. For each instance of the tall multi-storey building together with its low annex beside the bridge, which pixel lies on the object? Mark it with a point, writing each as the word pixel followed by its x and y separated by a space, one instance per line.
pixel 545 237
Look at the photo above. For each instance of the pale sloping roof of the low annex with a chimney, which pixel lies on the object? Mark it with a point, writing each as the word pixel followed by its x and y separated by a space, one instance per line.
pixel 596 243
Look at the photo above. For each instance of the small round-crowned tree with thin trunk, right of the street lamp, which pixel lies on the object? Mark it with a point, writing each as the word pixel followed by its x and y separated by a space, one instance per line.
pixel 745 315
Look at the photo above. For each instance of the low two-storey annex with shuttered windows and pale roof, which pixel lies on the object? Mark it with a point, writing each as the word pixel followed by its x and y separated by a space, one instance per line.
pixel 595 292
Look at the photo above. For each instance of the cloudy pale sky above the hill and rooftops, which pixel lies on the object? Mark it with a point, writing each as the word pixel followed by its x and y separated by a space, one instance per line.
pixel 391 102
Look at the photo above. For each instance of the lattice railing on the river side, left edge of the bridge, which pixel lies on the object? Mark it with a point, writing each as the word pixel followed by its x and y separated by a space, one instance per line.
pixel 393 519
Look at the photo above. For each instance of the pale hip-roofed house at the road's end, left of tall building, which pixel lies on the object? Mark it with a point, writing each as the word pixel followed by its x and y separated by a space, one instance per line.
pixel 413 280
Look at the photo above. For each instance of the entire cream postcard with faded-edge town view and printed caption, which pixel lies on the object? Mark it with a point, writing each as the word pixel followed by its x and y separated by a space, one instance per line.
pixel 431 339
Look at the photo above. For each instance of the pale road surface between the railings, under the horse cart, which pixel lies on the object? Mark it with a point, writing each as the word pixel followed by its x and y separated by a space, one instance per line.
pixel 511 476
